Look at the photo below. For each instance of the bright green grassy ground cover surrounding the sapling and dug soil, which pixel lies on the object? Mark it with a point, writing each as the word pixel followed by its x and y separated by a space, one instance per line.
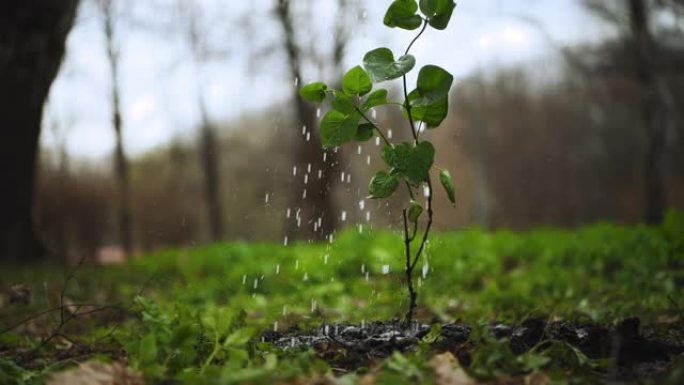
pixel 195 315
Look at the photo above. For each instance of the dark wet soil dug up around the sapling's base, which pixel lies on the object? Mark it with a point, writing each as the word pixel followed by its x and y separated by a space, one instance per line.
pixel 635 351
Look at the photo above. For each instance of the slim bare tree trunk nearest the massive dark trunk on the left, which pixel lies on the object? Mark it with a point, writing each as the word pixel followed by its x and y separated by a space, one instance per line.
pixel 120 160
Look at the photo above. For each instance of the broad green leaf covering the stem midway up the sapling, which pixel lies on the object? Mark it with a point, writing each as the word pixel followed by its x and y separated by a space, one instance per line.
pixel 413 163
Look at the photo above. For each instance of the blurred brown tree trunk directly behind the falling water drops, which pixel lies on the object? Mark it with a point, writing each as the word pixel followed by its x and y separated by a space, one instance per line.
pixel 311 200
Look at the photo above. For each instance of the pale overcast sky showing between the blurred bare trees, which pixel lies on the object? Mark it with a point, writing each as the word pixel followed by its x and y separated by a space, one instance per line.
pixel 159 82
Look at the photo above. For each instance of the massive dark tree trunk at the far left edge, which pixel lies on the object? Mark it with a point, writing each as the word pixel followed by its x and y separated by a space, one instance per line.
pixel 32 44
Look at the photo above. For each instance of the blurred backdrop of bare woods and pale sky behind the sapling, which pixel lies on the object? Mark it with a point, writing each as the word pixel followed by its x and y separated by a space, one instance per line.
pixel 576 132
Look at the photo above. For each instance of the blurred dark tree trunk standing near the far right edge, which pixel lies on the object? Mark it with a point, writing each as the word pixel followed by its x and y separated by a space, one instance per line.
pixel 652 112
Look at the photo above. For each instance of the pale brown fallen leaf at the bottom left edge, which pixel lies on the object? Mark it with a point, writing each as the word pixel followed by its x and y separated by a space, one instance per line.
pixel 97 373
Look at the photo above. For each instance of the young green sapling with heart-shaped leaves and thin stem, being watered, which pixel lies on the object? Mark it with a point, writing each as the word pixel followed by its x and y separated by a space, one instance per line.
pixel 409 163
